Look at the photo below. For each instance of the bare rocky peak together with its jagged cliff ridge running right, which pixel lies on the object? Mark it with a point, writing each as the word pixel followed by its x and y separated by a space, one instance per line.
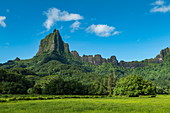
pixel 52 47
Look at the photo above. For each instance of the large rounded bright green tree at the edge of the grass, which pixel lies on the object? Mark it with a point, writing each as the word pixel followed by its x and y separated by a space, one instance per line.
pixel 134 86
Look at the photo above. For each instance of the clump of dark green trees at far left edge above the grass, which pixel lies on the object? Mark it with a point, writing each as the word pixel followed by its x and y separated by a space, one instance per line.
pixel 11 83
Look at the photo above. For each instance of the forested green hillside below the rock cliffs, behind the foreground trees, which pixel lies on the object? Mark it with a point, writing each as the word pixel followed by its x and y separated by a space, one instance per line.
pixel 41 69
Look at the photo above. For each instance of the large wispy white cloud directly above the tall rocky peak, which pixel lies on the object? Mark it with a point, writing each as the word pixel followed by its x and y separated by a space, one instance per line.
pixel 54 15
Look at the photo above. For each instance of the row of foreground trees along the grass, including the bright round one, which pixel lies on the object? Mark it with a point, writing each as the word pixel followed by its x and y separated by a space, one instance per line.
pixel 13 82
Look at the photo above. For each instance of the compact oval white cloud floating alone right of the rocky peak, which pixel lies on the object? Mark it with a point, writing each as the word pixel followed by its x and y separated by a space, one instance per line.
pixel 102 30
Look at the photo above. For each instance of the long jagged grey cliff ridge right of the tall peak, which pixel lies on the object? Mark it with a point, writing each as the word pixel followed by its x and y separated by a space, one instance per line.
pixel 98 60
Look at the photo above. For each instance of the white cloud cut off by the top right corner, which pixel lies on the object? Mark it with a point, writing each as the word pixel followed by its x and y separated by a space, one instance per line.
pixel 160 6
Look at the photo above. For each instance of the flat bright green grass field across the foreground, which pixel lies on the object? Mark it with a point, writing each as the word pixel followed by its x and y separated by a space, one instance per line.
pixel 160 104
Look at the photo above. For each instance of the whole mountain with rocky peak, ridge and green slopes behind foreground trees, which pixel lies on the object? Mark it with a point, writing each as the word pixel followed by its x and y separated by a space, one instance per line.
pixel 54 59
